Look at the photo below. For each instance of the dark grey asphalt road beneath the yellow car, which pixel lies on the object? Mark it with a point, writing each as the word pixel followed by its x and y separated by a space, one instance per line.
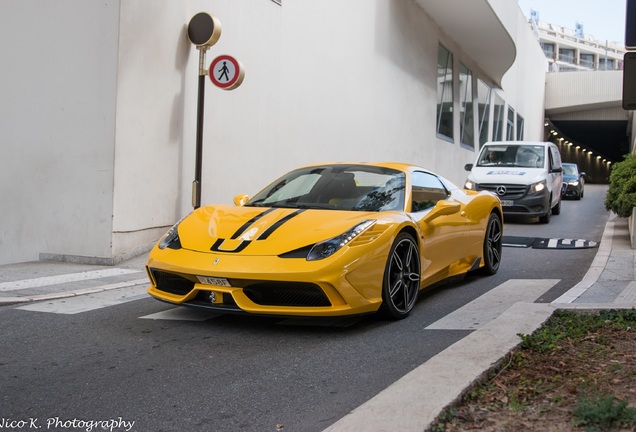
pixel 232 373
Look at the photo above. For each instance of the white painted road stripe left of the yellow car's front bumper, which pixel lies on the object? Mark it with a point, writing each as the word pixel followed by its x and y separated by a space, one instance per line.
pixel 88 302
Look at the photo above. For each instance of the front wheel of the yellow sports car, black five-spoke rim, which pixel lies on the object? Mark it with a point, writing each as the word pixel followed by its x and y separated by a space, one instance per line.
pixel 401 283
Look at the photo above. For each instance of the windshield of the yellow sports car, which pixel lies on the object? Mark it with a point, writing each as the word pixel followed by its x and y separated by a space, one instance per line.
pixel 339 187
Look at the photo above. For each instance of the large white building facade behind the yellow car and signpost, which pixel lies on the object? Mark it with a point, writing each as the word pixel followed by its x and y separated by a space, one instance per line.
pixel 99 103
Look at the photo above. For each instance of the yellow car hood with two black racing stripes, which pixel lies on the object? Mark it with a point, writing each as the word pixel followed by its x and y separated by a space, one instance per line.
pixel 261 230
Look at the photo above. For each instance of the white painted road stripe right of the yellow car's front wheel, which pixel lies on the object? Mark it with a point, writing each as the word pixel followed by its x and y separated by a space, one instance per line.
pixel 489 306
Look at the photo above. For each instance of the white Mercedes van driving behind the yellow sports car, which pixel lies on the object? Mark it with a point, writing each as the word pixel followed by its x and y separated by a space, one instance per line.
pixel 526 176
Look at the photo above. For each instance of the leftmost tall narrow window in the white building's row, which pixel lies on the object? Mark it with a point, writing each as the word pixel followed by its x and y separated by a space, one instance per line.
pixel 444 93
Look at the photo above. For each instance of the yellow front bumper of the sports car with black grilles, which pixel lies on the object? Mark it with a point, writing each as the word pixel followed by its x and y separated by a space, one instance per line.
pixel 284 286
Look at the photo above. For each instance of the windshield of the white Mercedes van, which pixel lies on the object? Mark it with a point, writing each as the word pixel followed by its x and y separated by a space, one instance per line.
pixel 512 155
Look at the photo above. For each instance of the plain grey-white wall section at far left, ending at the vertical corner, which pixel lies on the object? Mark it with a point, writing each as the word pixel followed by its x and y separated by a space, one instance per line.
pixel 57 117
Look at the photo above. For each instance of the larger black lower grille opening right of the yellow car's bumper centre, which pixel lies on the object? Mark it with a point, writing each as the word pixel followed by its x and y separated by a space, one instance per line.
pixel 286 294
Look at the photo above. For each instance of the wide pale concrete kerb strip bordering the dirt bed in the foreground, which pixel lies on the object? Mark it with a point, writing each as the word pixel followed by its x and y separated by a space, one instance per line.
pixel 414 401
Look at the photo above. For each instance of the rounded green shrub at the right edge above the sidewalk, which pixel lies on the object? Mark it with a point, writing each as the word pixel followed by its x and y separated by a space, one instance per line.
pixel 621 195
